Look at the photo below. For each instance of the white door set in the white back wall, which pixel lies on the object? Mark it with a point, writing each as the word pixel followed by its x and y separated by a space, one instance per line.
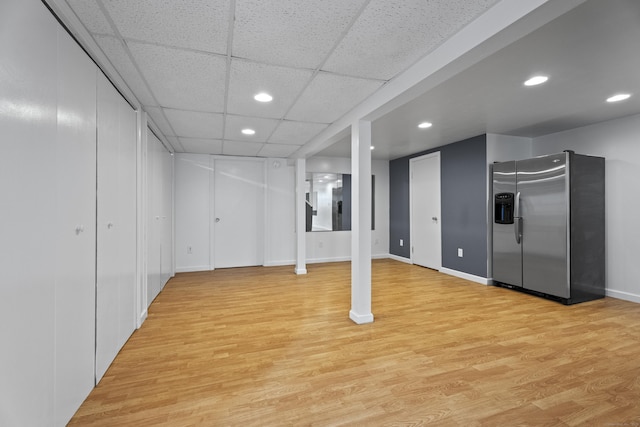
pixel 238 218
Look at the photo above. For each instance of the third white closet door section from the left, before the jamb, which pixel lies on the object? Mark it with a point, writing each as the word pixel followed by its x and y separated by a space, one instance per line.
pixel 116 225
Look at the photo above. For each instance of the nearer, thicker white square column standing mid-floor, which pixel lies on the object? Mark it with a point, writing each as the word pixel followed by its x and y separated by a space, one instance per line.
pixel 361 223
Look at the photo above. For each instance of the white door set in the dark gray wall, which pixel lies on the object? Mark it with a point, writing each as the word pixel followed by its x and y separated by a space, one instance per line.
pixel 426 245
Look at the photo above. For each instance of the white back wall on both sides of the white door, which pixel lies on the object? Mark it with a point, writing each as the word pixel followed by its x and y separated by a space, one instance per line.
pixel 194 192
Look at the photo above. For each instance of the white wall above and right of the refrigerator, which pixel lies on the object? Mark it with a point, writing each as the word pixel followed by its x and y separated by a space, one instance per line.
pixel 616 141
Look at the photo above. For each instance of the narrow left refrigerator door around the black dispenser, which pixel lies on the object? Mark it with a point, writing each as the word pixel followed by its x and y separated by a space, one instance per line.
pixel 507 255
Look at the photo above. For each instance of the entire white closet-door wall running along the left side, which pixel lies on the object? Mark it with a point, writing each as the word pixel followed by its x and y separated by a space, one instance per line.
pixel 69 175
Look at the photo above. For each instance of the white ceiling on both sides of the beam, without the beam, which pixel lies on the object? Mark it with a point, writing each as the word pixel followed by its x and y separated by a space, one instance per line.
pixel 195 65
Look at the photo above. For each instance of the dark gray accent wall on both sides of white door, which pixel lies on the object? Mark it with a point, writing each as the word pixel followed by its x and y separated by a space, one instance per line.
pixel 463 170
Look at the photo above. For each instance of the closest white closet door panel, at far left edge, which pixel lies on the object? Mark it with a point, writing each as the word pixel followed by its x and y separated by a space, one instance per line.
pixel 28 91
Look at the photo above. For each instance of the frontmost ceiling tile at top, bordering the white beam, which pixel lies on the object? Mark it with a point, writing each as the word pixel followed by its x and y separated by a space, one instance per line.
pixel 391 36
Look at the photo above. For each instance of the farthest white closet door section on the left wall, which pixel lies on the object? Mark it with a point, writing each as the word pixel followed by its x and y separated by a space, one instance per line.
pixel 160 266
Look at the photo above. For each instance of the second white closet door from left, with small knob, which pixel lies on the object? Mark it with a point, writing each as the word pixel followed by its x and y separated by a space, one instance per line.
pixel 75 227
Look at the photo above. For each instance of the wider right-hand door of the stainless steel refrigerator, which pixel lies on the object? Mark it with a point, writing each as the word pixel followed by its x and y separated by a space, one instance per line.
pixel 543 187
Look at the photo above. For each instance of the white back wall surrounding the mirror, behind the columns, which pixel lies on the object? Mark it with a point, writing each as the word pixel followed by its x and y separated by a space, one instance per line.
pixel 326 246
